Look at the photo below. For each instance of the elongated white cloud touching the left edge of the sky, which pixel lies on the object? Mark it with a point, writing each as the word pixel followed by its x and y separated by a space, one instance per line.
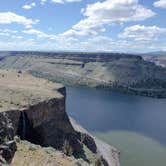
pixel 9 17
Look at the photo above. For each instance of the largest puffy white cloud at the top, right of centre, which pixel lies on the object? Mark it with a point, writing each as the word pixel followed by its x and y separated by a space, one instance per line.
pixel 117 10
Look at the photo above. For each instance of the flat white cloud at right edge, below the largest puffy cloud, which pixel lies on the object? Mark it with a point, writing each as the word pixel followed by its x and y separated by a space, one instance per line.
pixel 142 33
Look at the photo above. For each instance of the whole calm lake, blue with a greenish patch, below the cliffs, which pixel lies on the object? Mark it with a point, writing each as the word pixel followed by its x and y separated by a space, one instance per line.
pixel 135 125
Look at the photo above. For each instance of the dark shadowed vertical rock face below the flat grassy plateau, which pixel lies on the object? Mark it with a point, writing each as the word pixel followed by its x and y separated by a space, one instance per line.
pixel 47 124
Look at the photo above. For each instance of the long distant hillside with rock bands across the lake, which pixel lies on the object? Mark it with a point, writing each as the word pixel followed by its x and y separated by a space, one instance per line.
pixel 122 72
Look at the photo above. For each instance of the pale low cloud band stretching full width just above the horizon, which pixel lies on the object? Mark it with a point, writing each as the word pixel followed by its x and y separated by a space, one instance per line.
pixel 96 43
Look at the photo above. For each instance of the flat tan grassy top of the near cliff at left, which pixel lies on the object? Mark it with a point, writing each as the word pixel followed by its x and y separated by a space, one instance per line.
pixel 19 90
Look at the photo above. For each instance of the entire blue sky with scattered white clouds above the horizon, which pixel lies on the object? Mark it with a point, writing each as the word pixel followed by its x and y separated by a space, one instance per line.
pixel 83 25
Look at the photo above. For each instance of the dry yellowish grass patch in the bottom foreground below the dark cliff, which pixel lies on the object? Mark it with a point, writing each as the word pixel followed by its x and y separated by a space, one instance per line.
pixel 26 156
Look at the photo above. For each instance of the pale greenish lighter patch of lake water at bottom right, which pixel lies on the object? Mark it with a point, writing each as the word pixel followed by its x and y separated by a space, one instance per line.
pixel 136 150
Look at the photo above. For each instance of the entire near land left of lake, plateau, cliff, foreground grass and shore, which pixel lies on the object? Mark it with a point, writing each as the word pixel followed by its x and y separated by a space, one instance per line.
pixel 36 130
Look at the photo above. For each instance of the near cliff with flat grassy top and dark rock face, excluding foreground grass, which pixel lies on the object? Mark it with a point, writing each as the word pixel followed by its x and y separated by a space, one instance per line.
pixel 34 109
